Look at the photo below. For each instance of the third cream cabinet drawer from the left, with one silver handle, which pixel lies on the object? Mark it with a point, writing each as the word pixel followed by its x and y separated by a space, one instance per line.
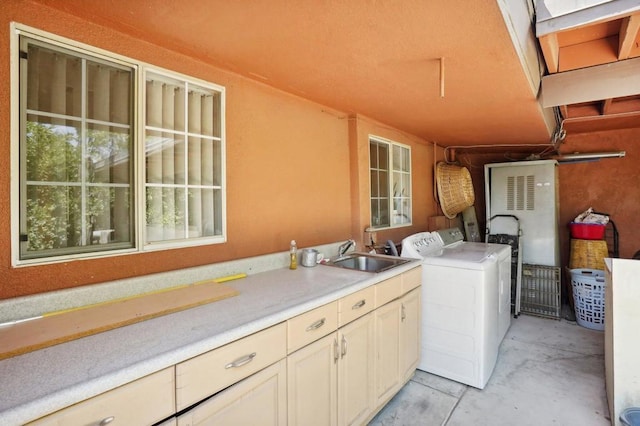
pixel 311 326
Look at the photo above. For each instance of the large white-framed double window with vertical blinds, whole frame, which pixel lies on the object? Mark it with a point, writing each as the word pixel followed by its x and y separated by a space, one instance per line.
pixel 112 155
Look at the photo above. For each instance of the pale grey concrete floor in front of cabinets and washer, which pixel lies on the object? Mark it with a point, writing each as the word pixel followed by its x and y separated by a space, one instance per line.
pixel 549 372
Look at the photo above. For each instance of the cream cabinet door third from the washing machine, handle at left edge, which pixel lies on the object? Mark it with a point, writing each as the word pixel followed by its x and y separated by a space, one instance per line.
pixel 356 368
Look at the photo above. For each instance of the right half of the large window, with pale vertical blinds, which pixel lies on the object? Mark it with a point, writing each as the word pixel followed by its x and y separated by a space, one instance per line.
pixel 183 160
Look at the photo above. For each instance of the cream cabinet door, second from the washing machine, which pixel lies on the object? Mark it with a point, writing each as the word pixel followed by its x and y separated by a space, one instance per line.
pixel 387 369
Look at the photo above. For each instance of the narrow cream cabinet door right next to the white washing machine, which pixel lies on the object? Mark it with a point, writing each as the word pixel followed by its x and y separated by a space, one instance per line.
pixel 409 334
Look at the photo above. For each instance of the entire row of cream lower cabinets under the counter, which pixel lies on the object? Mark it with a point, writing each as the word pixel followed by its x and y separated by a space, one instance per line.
pixel 334 365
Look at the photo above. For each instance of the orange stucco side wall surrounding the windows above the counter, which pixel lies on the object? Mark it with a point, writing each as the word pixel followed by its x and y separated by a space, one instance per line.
pixel 289 166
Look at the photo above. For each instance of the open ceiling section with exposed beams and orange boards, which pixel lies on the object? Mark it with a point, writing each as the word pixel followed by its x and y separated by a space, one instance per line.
pixel 592 52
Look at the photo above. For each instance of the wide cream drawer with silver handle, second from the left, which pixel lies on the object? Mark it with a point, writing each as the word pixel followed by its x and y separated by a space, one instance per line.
pixel 213 371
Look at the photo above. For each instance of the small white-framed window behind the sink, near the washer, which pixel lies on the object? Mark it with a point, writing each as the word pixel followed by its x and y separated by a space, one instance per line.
pixel 390 183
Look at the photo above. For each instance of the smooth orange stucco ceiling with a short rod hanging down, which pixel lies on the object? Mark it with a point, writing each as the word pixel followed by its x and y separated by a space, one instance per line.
pixel 449 71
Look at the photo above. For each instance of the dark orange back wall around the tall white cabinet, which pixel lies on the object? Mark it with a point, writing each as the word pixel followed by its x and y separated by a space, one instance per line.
pixel 608 185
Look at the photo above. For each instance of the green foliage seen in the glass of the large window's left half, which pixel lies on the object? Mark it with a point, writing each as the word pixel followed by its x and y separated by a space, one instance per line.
pixel 55 188
